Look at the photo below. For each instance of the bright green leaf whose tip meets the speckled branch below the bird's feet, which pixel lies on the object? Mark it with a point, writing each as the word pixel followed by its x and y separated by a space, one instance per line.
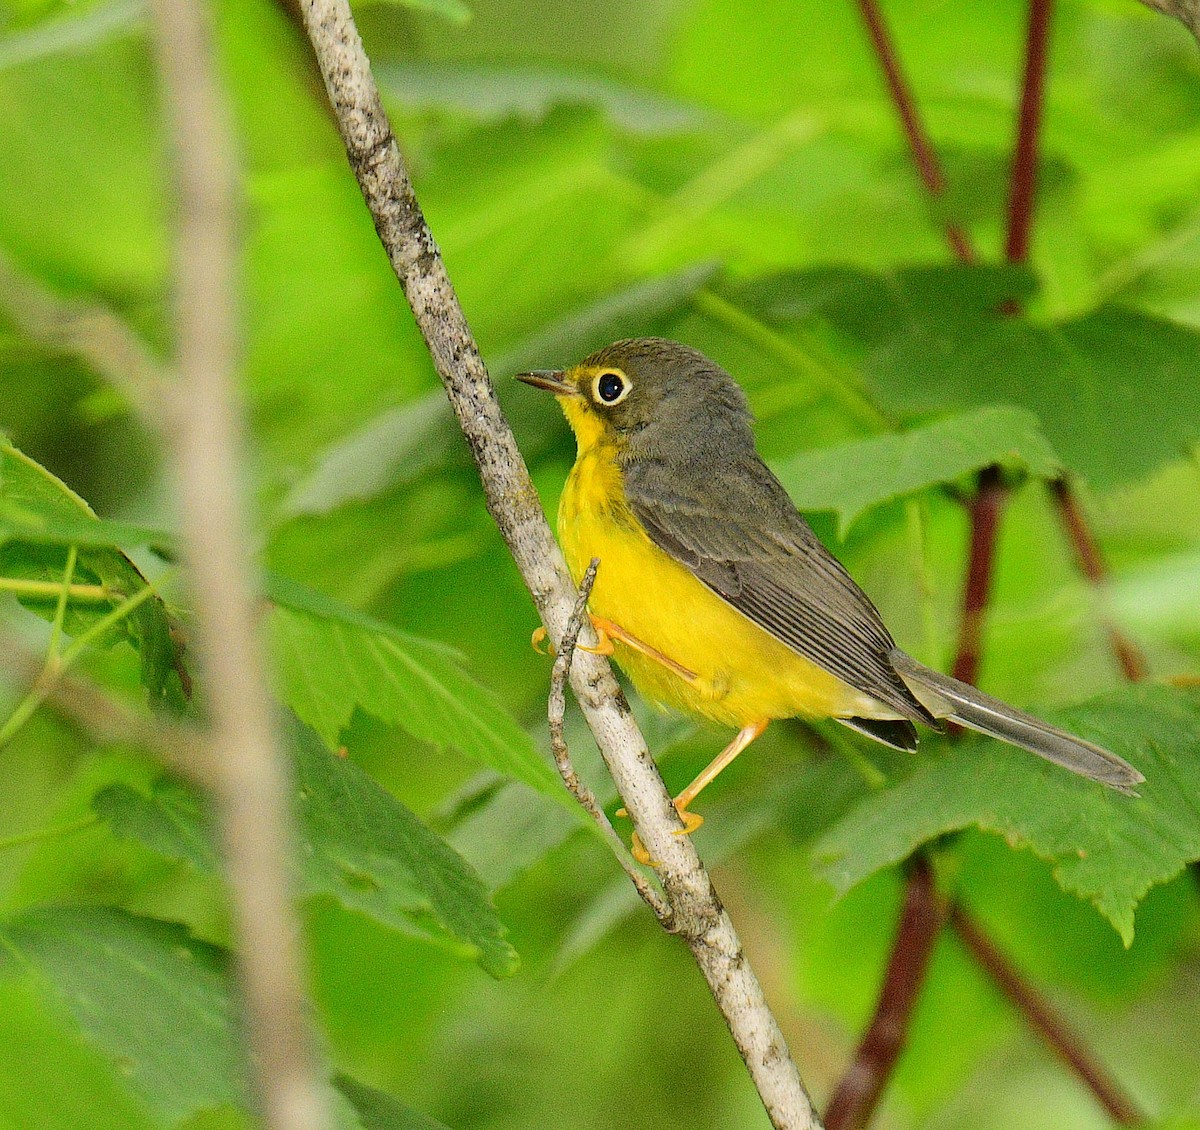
pixel 332 660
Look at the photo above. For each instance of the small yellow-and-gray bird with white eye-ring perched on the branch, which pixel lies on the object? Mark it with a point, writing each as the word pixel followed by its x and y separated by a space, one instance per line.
pixel 713 593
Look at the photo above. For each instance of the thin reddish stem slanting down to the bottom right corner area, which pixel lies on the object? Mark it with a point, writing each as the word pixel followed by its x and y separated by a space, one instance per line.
pixel 1046 1021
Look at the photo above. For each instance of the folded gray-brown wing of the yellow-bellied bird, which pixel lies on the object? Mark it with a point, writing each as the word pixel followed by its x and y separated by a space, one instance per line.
pixel 737 530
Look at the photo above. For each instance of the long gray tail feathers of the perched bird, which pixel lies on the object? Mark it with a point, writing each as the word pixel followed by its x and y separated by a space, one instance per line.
pixel 971 708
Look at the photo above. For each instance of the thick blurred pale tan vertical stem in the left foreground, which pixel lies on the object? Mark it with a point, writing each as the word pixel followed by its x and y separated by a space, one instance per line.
pixel 251 777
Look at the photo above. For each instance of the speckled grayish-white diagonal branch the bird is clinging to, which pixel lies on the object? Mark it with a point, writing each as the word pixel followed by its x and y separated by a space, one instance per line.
pixel 698 915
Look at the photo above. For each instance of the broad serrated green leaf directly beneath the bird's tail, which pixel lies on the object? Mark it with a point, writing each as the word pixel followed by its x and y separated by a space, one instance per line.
pixel 1106 849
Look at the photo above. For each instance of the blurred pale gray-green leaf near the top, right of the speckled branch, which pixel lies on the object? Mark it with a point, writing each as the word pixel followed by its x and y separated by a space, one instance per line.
pixel 490 92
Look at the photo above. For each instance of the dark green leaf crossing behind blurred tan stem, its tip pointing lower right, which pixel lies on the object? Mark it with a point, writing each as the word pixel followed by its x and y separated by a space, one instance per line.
pixel 358 845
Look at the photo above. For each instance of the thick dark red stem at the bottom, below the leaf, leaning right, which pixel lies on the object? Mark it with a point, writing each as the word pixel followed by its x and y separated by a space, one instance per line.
pixel 921 921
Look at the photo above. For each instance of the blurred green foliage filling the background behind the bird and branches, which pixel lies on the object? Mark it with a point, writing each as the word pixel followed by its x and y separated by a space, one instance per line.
pixel 731 176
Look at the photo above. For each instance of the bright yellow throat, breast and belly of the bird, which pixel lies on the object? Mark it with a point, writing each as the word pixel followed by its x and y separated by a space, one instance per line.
pixel 743 675
